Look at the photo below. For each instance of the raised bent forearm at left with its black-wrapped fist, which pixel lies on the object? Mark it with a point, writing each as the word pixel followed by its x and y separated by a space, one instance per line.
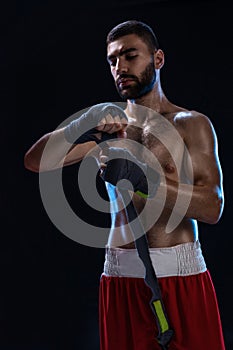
pixel 70 144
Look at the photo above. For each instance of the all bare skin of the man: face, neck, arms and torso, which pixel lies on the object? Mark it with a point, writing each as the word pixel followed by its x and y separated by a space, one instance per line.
pixel 193 167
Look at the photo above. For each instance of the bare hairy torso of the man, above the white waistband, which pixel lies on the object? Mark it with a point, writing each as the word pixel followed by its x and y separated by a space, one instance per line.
pixel 163 137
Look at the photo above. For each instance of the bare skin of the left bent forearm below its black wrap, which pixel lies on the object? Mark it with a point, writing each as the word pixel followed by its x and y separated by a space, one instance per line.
pixel 53 151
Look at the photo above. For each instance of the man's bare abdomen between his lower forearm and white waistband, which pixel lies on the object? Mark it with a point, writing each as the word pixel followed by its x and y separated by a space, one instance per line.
pixel 121 235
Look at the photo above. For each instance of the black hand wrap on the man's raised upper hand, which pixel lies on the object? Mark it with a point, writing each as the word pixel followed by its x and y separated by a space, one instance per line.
pixel 83 129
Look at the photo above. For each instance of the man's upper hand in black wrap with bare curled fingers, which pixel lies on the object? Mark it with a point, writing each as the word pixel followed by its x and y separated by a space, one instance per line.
pixel 100 123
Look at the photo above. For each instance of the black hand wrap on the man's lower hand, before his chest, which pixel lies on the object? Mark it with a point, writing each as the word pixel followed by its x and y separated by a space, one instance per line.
pixel 123 165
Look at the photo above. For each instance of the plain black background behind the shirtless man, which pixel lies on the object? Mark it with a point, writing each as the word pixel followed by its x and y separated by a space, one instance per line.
pixel 53 63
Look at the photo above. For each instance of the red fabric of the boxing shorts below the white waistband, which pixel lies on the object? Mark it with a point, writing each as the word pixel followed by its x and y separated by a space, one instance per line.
pixel 128 323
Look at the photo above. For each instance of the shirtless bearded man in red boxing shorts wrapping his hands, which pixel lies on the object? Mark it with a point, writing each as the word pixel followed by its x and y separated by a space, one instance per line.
pixel 184 146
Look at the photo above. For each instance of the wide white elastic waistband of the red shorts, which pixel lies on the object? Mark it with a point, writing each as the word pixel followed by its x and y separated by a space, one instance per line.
pixel 180 260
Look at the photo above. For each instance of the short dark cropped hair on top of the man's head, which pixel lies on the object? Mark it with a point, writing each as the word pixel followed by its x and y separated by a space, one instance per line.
pixel 139 28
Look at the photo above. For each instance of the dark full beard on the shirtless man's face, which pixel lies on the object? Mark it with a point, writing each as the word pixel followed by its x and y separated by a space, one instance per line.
pixel 143 84
